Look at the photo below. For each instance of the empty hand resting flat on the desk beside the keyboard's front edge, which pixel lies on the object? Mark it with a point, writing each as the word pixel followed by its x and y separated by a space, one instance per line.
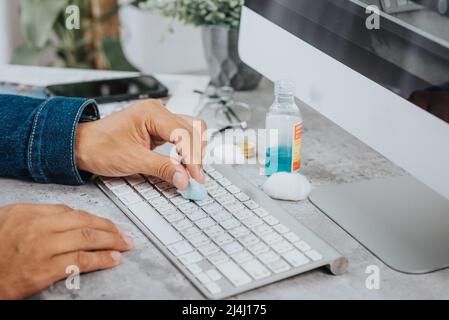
pixel 38 243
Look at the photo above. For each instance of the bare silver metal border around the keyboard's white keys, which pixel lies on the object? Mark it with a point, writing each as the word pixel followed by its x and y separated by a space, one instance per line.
pixel 336 262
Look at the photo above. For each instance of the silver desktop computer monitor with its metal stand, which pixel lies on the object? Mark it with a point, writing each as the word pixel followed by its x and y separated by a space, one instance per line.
pixel 386 83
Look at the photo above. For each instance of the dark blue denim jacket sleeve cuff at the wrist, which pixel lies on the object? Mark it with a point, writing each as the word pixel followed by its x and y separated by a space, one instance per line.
pixel 37 137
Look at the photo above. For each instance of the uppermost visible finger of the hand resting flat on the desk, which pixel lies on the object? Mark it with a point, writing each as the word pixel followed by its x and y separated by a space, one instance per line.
pixel 76 219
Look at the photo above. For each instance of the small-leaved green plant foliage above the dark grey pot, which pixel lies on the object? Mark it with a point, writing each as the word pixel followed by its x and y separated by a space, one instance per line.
pixel 198 12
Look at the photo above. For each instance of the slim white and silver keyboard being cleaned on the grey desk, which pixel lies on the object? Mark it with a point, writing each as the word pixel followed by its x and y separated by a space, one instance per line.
pixel 235 240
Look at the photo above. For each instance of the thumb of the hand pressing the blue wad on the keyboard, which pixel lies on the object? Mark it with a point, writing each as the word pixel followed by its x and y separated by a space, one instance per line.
pixel 166 169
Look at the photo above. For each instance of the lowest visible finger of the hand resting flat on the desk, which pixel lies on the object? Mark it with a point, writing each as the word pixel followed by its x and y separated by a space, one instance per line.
pixel 85 261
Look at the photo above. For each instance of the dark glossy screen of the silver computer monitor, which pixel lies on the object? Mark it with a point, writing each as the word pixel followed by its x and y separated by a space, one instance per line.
pixel 405 49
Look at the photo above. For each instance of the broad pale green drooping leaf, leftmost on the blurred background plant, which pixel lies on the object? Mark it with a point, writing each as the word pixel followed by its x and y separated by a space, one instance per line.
pixel 38 18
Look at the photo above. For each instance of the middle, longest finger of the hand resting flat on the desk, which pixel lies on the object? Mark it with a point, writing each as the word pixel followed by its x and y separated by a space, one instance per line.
pixel 86 239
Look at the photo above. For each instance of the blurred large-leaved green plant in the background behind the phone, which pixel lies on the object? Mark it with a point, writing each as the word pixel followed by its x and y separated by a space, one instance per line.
pixel 45 35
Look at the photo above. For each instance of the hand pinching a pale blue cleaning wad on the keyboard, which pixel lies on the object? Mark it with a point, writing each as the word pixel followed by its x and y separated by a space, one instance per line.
pixel 121 144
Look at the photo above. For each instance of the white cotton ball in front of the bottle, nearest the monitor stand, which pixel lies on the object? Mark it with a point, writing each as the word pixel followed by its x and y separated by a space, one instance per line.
pixel 287 186
